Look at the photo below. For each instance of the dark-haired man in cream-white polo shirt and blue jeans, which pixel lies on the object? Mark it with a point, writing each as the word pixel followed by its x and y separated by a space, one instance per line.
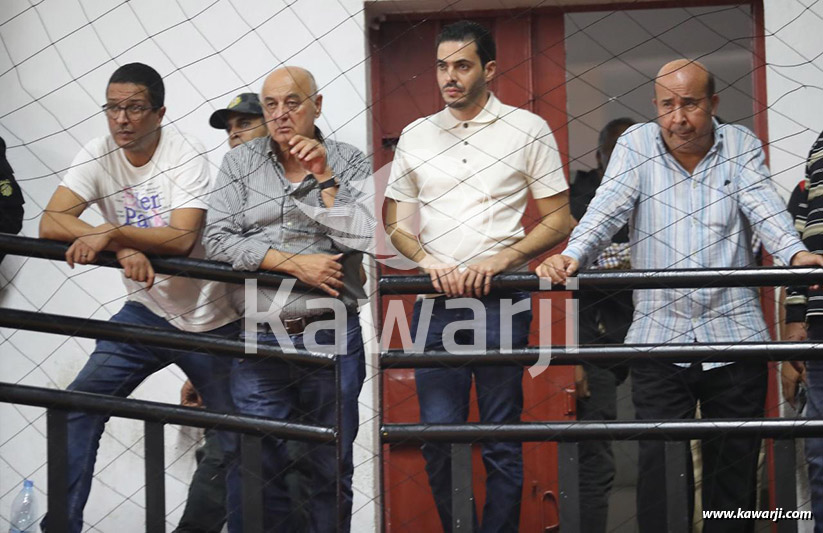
pixel 467 172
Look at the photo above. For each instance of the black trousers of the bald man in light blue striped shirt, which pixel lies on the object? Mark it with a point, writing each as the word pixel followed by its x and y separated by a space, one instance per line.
pixel 667 391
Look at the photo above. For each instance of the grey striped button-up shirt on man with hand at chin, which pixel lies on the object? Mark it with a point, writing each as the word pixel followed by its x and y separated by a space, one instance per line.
pixel 254 208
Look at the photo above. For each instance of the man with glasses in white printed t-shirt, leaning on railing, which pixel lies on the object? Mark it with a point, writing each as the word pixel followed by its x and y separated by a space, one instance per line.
pixel 151 187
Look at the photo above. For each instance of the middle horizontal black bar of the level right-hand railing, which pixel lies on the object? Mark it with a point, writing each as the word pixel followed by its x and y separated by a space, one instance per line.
pixel 611 354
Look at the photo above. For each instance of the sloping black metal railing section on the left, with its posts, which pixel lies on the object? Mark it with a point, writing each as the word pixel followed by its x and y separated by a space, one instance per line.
pixel 155 415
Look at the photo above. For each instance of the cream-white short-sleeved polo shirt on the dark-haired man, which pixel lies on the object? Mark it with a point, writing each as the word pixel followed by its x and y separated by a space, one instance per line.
pixel 470 179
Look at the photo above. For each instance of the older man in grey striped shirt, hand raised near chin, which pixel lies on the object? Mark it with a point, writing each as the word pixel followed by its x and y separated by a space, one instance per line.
pixel 284 203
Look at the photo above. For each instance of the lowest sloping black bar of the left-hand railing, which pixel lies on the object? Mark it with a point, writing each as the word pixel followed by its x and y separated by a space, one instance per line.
pixel 162 412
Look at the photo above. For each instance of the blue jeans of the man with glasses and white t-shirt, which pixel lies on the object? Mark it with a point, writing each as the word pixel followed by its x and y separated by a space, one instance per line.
pixel 116 369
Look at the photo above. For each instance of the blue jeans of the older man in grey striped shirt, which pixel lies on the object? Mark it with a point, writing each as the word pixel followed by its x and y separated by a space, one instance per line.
pixel 285 391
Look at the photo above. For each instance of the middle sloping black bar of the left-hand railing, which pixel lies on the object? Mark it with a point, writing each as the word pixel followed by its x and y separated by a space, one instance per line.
pixel 183 340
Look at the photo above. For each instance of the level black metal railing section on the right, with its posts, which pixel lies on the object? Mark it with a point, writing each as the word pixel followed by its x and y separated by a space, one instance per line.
pixel 567 434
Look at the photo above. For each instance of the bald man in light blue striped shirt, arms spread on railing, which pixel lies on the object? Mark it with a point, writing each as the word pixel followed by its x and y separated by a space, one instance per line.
pixel 693 190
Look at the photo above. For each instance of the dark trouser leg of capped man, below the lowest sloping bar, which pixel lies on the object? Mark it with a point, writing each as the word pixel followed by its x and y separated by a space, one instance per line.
pixel 206 504
